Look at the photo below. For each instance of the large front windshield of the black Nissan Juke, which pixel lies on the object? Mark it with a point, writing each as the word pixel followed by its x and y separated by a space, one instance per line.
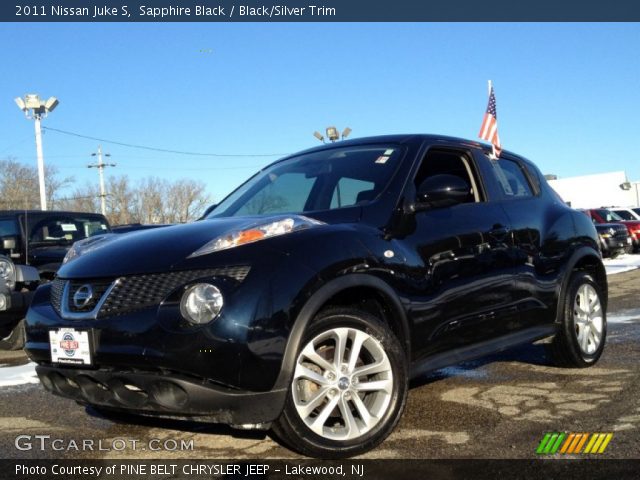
pixel 323 180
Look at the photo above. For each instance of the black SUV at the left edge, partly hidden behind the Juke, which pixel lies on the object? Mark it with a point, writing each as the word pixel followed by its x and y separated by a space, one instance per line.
pixel 33 244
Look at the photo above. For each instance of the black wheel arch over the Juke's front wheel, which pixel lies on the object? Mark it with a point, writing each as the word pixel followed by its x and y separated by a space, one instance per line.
pixel 363 290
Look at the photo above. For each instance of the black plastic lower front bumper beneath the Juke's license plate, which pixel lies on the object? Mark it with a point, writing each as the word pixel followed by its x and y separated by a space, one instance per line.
pixel 162 394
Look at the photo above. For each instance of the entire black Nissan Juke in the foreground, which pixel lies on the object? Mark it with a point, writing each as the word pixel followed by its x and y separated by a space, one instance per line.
pixel 312 294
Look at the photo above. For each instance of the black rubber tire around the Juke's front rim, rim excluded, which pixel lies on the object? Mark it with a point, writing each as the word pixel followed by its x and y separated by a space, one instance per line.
pixel 310 443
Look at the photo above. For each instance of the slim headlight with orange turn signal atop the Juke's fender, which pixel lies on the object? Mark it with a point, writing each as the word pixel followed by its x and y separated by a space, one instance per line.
pixel 256 232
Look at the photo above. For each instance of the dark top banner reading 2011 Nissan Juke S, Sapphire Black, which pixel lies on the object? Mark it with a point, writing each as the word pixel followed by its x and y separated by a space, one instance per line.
pixel 323 11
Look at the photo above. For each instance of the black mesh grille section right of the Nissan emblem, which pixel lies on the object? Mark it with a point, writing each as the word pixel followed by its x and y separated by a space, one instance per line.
pixel 142 291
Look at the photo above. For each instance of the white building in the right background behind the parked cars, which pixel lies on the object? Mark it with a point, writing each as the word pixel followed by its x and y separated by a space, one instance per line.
pixel 599 190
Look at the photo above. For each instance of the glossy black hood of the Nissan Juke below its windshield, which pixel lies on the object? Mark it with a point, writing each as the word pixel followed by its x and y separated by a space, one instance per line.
pixel 155 250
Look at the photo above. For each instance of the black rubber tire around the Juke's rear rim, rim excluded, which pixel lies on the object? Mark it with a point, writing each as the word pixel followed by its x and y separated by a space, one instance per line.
pixel 569 323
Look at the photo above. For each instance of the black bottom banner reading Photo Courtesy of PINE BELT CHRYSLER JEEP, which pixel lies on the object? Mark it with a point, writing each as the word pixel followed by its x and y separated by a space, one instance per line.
pixel 317 469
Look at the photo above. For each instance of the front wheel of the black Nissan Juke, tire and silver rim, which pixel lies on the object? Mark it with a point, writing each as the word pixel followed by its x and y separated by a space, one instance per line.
pixel 362 417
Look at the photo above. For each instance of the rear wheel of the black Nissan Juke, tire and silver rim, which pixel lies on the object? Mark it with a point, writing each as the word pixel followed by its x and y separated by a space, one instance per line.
pixel 581 337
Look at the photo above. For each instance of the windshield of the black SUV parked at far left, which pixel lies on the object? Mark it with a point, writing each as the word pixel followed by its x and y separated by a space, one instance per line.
pixel 64 229
